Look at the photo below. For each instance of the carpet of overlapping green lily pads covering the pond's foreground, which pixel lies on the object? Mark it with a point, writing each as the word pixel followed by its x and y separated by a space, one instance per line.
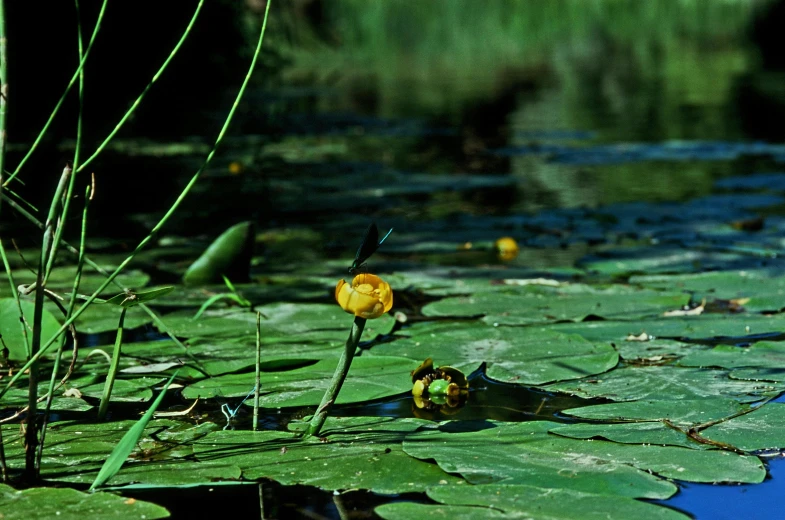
pixel 680 367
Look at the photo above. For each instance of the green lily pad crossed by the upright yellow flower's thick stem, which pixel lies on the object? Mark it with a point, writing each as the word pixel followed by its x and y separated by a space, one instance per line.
pixel 371 377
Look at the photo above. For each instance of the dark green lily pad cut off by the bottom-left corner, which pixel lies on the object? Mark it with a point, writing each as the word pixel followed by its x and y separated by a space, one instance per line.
pixel 65 503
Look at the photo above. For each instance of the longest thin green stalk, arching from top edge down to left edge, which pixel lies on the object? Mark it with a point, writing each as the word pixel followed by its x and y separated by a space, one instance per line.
pixel 160 224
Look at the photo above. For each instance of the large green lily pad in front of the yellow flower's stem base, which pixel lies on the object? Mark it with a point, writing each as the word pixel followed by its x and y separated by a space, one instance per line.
pixel 360 453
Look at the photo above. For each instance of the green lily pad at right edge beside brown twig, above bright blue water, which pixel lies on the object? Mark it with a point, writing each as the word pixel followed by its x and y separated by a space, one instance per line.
pixel 762 429
